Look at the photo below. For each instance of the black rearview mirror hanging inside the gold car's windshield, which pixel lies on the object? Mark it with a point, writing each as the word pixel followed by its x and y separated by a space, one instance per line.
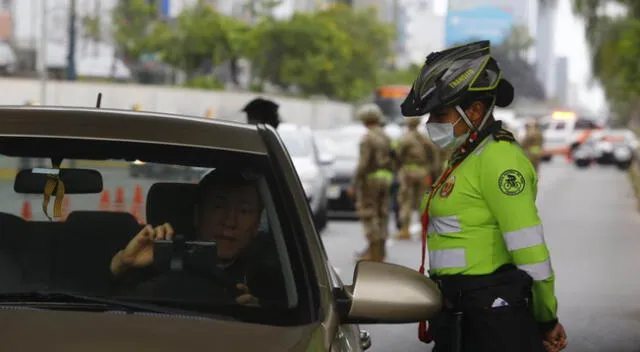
pixel 76 181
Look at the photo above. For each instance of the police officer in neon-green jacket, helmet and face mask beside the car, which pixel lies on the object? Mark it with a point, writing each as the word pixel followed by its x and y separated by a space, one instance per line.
pixel 486 245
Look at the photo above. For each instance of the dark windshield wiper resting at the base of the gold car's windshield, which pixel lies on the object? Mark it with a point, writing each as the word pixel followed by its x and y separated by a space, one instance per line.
pixel 42 298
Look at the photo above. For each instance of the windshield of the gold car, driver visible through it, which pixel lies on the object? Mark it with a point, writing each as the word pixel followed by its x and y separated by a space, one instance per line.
pixel 136 231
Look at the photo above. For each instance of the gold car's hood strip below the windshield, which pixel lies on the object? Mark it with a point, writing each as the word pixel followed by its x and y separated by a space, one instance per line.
pixel 32 330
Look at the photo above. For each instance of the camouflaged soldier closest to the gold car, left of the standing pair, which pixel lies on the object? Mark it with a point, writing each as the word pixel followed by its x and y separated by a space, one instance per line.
pixel 372 181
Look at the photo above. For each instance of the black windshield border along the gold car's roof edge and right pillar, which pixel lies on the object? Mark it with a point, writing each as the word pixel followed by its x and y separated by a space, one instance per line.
pixel 304 312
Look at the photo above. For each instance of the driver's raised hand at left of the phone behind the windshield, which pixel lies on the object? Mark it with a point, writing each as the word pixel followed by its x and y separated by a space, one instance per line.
pixel 139 251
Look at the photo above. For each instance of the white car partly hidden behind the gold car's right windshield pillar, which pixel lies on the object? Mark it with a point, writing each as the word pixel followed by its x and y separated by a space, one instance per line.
pixel 313 167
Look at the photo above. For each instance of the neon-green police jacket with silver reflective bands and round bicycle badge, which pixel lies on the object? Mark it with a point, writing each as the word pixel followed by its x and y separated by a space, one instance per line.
pixel 484 216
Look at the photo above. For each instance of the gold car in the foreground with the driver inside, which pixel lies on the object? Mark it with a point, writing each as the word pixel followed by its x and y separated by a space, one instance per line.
pixel 55 274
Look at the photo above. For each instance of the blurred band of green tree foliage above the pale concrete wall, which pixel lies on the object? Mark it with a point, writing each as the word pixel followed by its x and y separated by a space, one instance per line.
pixel 337 52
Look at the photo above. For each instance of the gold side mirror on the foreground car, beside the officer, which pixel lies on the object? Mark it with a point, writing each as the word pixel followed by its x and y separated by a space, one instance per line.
pixel 384 293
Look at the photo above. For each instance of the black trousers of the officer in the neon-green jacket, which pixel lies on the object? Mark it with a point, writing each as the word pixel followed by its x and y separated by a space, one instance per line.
pixel 474 317
